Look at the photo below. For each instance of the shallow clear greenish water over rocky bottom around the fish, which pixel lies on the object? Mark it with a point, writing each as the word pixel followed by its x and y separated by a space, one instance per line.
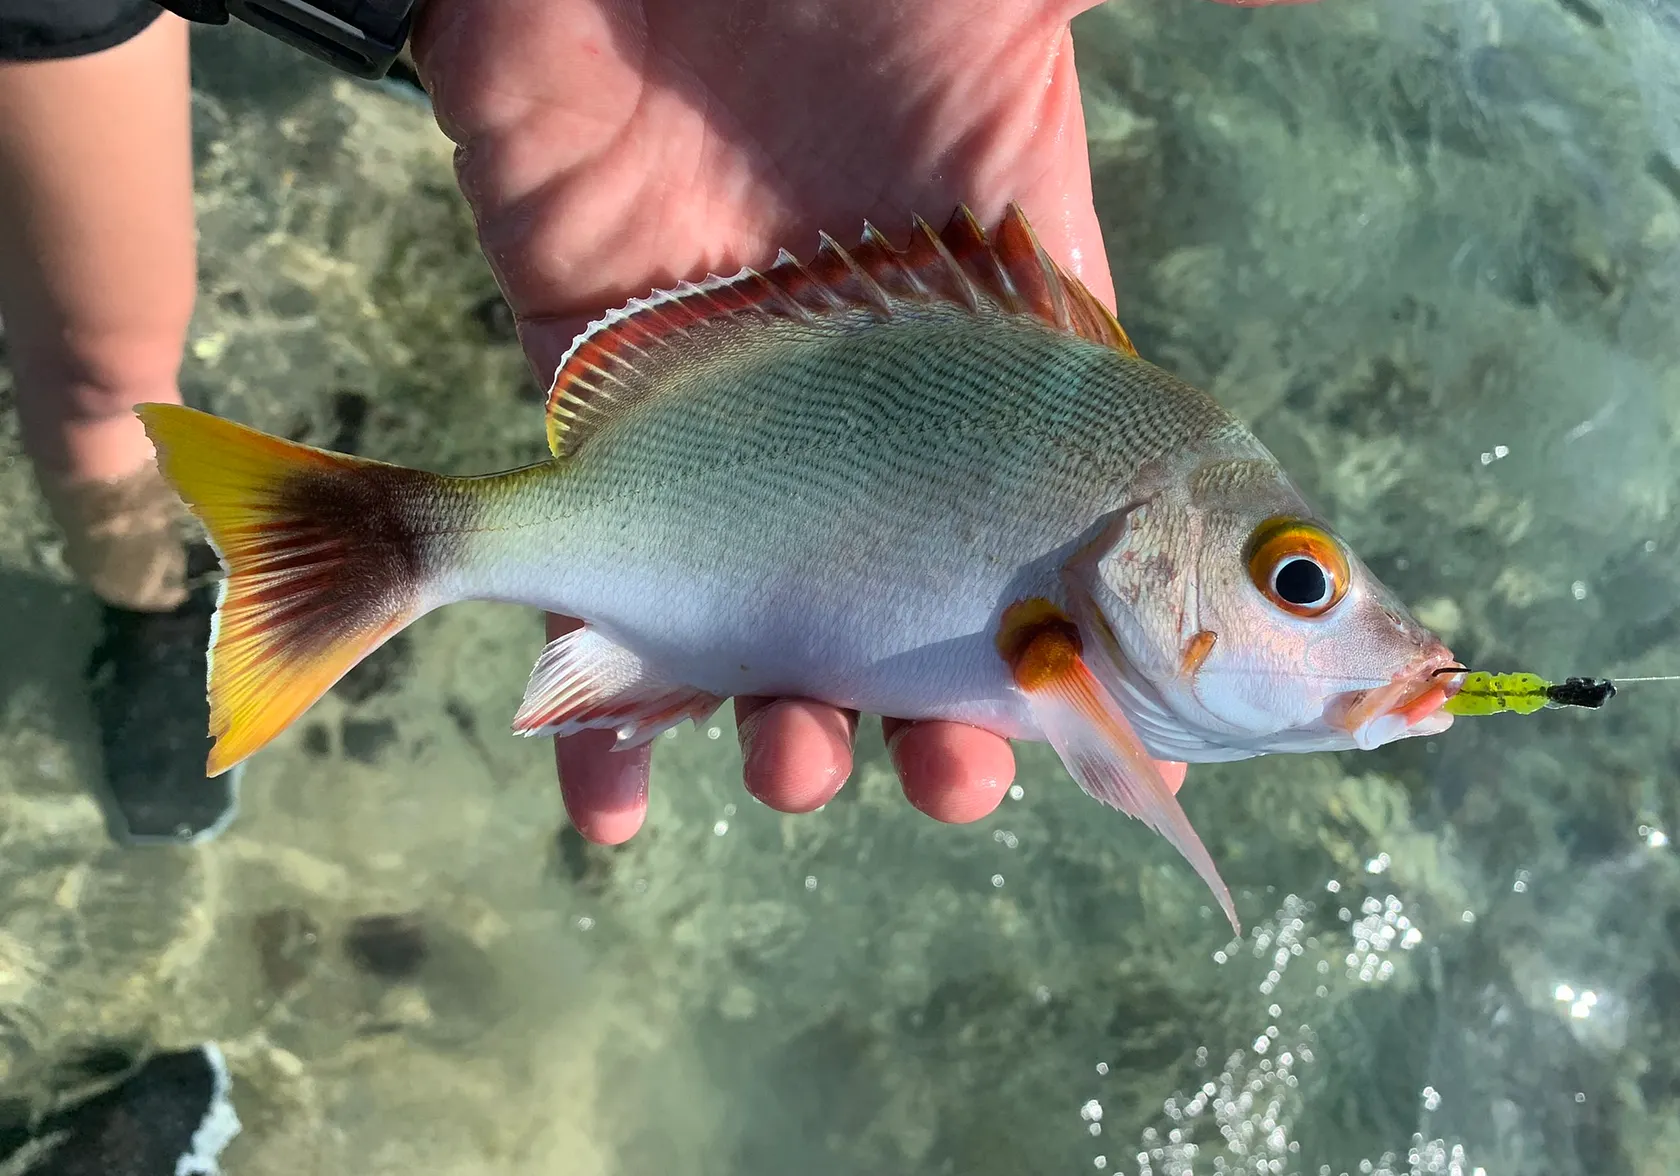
pixel 1427 248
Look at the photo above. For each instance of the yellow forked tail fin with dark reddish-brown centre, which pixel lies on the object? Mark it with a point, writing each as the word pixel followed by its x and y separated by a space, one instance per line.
pixel 327 557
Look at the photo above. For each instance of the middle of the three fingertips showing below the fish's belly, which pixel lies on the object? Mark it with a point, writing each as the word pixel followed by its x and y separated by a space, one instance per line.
pixel 795 755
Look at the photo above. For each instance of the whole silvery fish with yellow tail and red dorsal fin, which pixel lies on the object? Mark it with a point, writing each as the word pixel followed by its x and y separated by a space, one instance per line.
pixel 932 481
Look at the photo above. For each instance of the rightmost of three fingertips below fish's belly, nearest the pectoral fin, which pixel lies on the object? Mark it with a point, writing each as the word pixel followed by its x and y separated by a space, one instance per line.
pixel 952 772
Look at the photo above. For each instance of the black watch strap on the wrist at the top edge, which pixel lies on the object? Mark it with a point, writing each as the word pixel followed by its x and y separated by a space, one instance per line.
pixel 360 38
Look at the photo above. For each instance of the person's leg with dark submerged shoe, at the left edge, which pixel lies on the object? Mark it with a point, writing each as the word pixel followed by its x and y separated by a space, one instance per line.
pixel 97 286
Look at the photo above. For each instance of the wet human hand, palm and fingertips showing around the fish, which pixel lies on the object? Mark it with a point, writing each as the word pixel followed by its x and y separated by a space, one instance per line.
pixel 612 149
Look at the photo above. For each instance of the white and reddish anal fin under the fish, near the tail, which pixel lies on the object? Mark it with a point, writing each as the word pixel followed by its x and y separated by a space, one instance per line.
pixel 585 683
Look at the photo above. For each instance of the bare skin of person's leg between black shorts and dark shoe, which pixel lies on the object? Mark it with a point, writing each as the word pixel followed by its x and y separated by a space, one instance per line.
pixel 97 290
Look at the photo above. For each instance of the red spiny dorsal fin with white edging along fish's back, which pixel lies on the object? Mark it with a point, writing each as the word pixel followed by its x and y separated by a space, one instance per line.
pixel 607 367
